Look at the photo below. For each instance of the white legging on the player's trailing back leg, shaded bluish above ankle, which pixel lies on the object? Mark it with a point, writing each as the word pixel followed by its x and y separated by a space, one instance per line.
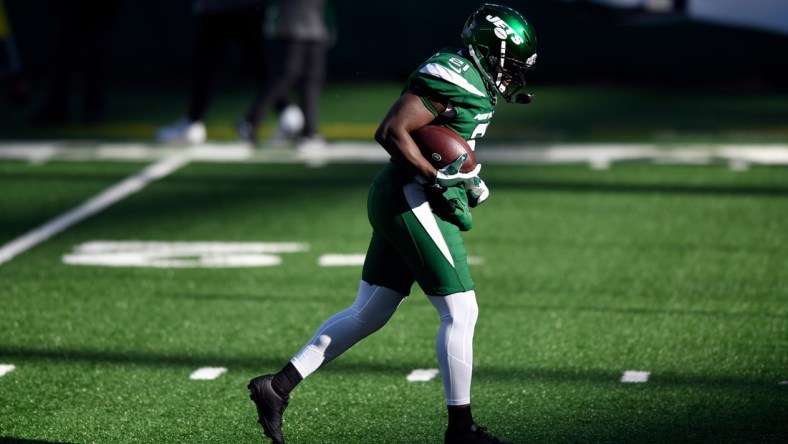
pixel 373 307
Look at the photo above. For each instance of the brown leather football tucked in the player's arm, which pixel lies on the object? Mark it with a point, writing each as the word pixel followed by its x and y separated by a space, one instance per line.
pixel 441 146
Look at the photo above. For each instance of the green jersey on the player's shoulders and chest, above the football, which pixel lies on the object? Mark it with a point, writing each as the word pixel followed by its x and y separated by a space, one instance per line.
pixel 449 75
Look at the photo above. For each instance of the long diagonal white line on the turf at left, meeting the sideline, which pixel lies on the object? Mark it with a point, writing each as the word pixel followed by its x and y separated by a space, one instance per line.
pixel 92 206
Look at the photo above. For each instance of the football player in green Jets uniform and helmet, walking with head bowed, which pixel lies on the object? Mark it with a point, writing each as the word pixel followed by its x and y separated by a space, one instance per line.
pixel 418 212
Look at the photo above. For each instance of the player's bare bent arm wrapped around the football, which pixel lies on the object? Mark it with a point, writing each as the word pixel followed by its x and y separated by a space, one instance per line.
pixel 407 114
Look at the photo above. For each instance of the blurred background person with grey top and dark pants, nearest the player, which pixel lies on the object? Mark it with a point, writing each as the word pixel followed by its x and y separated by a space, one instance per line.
pixel 300 33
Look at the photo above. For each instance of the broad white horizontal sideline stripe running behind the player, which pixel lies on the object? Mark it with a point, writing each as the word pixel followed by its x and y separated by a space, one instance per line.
pixel 596 155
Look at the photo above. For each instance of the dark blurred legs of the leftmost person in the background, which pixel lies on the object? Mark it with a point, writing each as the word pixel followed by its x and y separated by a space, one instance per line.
pixel 83 25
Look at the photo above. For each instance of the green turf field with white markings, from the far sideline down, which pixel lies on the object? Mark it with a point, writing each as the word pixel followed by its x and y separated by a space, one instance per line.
pixel 629 293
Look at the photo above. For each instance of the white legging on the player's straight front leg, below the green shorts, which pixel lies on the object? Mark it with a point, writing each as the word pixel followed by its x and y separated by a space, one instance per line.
pixel 454 345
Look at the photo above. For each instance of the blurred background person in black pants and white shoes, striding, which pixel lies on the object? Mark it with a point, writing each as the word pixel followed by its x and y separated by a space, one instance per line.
pixel 218 23
